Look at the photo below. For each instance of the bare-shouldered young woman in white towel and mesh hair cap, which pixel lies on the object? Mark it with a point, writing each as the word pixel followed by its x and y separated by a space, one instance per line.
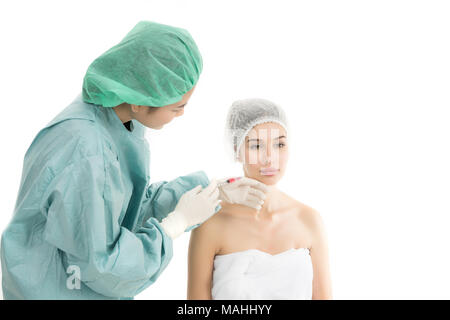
pixel 277 252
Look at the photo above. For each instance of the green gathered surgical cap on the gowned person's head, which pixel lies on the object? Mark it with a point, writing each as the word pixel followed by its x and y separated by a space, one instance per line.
pixel 154 65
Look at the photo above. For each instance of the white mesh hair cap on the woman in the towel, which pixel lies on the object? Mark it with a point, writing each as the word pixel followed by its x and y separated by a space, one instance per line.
pixel 245 114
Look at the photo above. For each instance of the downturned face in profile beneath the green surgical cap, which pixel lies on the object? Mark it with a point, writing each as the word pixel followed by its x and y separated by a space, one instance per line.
pixel 157 117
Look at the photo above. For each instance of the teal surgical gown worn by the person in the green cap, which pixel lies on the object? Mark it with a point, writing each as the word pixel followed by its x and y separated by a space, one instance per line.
pixel 86 220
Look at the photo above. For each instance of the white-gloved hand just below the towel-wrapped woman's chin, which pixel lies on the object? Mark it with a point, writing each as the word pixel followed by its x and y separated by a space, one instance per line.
pixel 246 191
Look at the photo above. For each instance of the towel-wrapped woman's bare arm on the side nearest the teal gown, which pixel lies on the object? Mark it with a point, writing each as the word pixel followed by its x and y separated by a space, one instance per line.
pixel 202 249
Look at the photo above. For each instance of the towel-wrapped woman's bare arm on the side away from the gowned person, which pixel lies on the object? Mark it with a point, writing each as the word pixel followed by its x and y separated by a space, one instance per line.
pixel 320 259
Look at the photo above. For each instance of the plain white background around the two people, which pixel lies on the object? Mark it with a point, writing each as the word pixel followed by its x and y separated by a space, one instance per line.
pixel 365 85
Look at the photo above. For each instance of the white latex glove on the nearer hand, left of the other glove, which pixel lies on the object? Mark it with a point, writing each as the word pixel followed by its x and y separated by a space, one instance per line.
pixel 194 207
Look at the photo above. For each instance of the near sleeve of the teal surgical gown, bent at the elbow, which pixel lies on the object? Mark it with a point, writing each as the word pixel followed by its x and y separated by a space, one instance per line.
pixel 84 204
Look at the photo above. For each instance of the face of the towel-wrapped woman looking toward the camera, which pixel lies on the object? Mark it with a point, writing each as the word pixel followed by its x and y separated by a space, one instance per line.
pixel 265 153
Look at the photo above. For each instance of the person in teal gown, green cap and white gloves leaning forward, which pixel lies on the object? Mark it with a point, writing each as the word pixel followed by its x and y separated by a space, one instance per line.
pixel 87 223
